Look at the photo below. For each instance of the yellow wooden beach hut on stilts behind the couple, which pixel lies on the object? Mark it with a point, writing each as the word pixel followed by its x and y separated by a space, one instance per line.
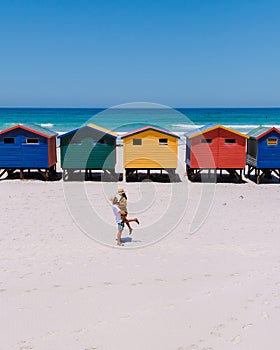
pixel 150 148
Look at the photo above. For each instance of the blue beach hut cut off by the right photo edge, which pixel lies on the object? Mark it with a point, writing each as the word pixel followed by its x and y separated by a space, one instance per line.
pixel 263 152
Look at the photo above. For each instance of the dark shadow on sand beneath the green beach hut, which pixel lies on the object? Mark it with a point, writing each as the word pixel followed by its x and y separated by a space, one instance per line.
pixel 96 176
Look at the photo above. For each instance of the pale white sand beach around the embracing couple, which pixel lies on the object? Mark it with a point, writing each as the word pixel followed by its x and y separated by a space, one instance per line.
pixel 174 284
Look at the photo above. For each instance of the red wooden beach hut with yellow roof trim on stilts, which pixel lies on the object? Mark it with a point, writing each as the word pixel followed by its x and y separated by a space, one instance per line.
pixel 215 147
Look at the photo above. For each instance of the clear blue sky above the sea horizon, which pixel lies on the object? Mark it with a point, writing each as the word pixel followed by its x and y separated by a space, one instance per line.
pixel 99 53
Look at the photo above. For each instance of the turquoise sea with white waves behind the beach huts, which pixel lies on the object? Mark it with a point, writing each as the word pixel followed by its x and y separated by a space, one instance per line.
pixel 121 120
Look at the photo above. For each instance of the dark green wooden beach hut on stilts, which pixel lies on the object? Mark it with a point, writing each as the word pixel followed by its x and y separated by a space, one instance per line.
pixel 88 148
